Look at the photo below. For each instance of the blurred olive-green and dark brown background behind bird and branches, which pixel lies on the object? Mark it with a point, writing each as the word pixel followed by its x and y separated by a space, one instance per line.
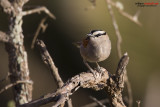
pixel 76 18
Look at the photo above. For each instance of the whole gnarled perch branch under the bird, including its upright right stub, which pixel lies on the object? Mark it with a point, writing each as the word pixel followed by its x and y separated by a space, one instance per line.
pixel 96 81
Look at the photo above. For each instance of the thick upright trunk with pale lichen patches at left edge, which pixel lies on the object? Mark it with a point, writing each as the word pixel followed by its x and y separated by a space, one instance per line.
pixel 18 63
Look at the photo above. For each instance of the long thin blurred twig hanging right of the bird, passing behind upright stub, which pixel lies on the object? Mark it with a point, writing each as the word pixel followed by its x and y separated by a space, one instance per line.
pixel 119 41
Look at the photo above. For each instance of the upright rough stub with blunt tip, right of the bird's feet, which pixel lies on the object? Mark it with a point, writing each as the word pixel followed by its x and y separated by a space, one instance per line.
pixel 116 83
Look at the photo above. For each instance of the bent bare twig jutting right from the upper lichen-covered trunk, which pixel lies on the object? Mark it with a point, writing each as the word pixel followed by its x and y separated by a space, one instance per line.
pixel 39 10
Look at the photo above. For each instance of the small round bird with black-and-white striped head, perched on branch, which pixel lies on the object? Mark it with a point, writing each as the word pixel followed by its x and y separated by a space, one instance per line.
pixel 96 47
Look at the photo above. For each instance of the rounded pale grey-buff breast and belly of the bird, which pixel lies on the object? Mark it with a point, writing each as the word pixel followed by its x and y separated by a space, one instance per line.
pixel 96 50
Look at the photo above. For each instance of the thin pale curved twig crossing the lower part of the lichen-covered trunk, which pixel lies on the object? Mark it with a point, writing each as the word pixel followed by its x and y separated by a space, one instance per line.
pixel 13 84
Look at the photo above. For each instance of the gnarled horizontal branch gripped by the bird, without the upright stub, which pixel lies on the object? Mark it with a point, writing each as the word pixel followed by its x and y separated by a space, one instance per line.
pixel 85 80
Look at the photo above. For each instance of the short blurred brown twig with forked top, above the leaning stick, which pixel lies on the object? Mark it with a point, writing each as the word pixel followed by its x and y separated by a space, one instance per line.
pixel 41 26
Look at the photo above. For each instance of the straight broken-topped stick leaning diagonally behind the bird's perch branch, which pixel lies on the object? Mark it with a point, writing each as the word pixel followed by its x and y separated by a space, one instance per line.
pixel 49 62
